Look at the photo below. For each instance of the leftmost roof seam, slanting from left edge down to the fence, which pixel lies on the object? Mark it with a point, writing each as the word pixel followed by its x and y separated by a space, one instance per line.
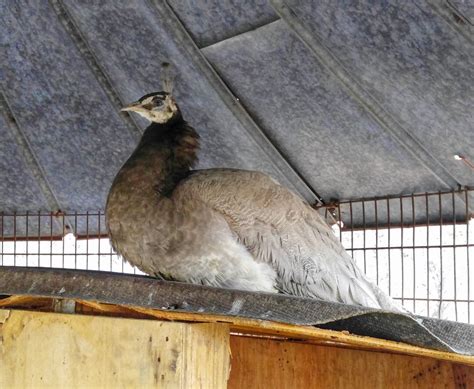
pixel 29 156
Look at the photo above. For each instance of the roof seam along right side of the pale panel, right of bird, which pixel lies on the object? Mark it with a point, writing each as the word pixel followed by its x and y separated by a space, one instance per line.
pixel 364 98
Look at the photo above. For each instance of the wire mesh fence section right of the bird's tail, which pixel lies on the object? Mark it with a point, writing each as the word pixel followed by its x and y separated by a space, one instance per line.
pixel 426 266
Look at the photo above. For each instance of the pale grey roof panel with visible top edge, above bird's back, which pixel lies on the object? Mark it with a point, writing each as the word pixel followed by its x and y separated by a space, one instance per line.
pixel 318 126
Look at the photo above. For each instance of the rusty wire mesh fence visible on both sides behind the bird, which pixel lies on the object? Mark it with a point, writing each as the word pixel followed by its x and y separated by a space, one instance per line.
pixel 417 248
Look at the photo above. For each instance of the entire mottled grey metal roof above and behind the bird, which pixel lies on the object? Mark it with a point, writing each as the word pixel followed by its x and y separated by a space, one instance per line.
pixel 336 99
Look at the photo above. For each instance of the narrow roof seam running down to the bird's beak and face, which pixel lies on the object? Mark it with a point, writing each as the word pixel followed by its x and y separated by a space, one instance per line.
pixel 87 54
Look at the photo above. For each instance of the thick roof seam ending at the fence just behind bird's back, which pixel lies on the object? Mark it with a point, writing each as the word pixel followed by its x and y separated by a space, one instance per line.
pixel 233 104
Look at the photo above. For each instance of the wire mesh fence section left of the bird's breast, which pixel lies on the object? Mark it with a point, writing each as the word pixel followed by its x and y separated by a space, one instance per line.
pixel 59 240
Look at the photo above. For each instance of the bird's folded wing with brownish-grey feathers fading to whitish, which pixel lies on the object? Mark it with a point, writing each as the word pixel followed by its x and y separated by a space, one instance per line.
pixel 280 228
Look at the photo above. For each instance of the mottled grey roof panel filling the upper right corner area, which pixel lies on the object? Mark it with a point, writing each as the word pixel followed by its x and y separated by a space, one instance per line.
pixel 411 61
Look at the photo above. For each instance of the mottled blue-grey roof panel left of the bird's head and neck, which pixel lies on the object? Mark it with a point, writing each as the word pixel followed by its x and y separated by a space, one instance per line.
pixel 77 136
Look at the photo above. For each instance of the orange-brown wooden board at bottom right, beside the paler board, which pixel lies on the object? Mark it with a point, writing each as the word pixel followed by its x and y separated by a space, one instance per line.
pixel 270 363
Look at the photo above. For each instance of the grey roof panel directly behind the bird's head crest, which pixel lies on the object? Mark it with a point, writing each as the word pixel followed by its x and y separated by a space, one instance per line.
pixel 130 46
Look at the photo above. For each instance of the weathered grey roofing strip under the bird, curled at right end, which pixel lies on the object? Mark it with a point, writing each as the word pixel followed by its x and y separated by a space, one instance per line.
pixel 149 293
